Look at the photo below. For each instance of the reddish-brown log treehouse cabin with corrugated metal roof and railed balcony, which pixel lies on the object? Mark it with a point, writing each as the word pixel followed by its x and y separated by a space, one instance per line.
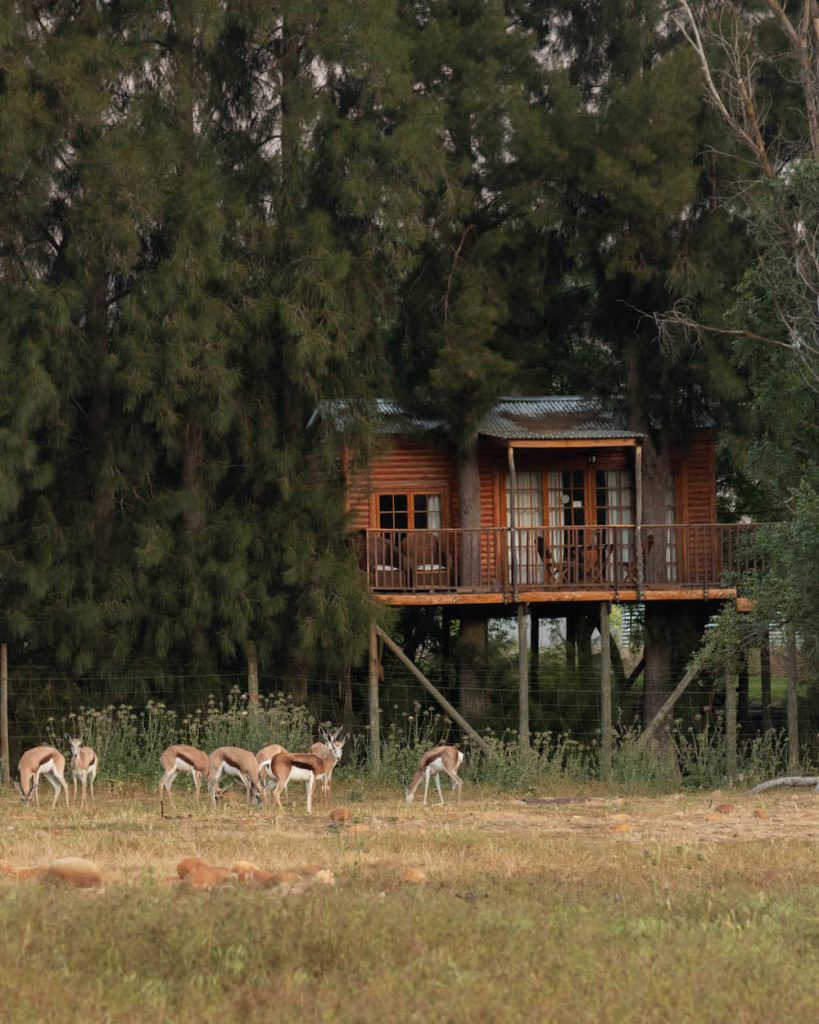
pixel 562 500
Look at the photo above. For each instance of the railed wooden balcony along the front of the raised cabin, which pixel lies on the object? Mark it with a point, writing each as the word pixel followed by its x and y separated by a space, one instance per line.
pixel 558 564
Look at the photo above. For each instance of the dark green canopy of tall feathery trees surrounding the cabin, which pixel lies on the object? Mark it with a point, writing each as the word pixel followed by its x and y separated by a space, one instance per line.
pixel 219 214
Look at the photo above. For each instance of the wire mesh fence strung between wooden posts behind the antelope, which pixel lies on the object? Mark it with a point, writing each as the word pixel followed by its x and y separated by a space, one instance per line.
pixel 133 717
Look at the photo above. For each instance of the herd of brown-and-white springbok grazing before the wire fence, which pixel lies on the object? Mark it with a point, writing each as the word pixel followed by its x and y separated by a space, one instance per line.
pixel 272 770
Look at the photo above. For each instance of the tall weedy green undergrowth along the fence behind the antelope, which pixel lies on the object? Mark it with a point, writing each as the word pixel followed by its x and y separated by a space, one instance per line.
pixel 130 743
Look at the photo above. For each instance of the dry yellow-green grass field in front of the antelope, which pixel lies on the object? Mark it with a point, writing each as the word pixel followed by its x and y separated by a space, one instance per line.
pixel 693 908
